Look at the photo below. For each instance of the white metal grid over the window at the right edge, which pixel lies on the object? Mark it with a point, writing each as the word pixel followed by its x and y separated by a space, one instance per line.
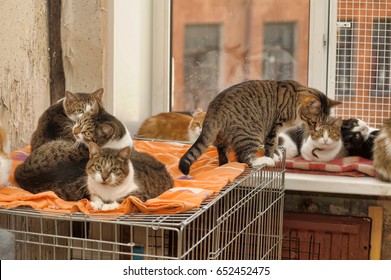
pixel 363 59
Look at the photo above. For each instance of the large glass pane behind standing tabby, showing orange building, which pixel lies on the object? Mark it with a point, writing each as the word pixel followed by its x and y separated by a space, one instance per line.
pixel 218 43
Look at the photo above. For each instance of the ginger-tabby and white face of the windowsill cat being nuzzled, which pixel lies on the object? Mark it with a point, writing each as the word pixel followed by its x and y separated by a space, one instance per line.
pixel 327 134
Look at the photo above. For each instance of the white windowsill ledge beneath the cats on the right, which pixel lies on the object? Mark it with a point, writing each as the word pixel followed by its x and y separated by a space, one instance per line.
pixel 367 186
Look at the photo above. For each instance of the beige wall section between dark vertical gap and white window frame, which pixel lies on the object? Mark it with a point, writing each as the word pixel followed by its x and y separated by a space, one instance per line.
pixel 83 36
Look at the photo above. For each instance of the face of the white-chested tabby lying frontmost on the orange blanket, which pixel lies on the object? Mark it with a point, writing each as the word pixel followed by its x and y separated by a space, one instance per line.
pixel 108 167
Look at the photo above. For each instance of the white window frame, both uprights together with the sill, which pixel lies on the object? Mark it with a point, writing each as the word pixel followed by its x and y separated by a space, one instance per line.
pixel 139 73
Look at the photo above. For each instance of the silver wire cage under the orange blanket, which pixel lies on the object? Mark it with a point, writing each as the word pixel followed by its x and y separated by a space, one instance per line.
pixel 243 221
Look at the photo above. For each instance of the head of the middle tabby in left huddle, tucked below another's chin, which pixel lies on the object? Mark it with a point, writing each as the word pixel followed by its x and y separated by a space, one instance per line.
pixel 88 129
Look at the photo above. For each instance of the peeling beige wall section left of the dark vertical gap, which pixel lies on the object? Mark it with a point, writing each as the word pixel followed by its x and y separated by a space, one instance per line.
pixel 24 66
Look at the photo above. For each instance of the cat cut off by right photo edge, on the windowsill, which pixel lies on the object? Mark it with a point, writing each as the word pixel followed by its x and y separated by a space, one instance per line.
pixel 382 152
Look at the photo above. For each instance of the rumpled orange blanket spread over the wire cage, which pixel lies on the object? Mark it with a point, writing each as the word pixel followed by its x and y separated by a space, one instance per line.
pixel 207 178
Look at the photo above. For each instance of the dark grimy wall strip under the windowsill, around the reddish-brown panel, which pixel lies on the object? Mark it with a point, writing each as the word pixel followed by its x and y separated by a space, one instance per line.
pixel 351 205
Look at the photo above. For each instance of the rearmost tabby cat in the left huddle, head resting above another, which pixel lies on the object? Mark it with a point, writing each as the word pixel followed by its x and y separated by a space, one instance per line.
pixel 57 121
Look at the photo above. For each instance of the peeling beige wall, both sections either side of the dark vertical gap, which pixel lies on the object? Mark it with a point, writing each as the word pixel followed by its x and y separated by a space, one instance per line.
pixel 24 58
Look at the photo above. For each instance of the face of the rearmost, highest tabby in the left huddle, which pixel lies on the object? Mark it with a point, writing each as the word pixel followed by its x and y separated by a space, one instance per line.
pixel 78 104
